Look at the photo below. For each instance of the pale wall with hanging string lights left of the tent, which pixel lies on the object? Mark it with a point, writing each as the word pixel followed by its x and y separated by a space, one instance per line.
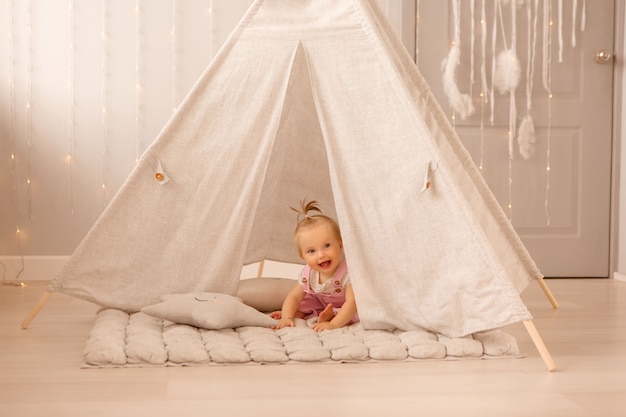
pixel 86 89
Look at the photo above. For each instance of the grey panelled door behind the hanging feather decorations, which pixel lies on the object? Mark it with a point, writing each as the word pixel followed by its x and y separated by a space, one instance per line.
pixel 558 199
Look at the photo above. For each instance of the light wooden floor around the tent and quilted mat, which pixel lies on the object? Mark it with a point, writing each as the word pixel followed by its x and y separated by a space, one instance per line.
pixel 41 375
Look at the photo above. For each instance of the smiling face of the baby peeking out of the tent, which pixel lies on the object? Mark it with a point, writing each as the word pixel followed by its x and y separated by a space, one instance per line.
pixel 321 249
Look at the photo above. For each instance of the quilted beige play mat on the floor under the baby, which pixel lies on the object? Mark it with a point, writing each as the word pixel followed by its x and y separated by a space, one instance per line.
pixel 119 339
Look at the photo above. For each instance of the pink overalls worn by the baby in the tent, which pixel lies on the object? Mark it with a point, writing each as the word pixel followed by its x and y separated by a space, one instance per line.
pixel 314 302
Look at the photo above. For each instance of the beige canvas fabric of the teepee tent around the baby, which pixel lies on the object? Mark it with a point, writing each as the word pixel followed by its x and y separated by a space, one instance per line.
pixel 313 98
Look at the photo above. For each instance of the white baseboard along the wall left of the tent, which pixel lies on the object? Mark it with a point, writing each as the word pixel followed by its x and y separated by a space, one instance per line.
pixel 30 268
